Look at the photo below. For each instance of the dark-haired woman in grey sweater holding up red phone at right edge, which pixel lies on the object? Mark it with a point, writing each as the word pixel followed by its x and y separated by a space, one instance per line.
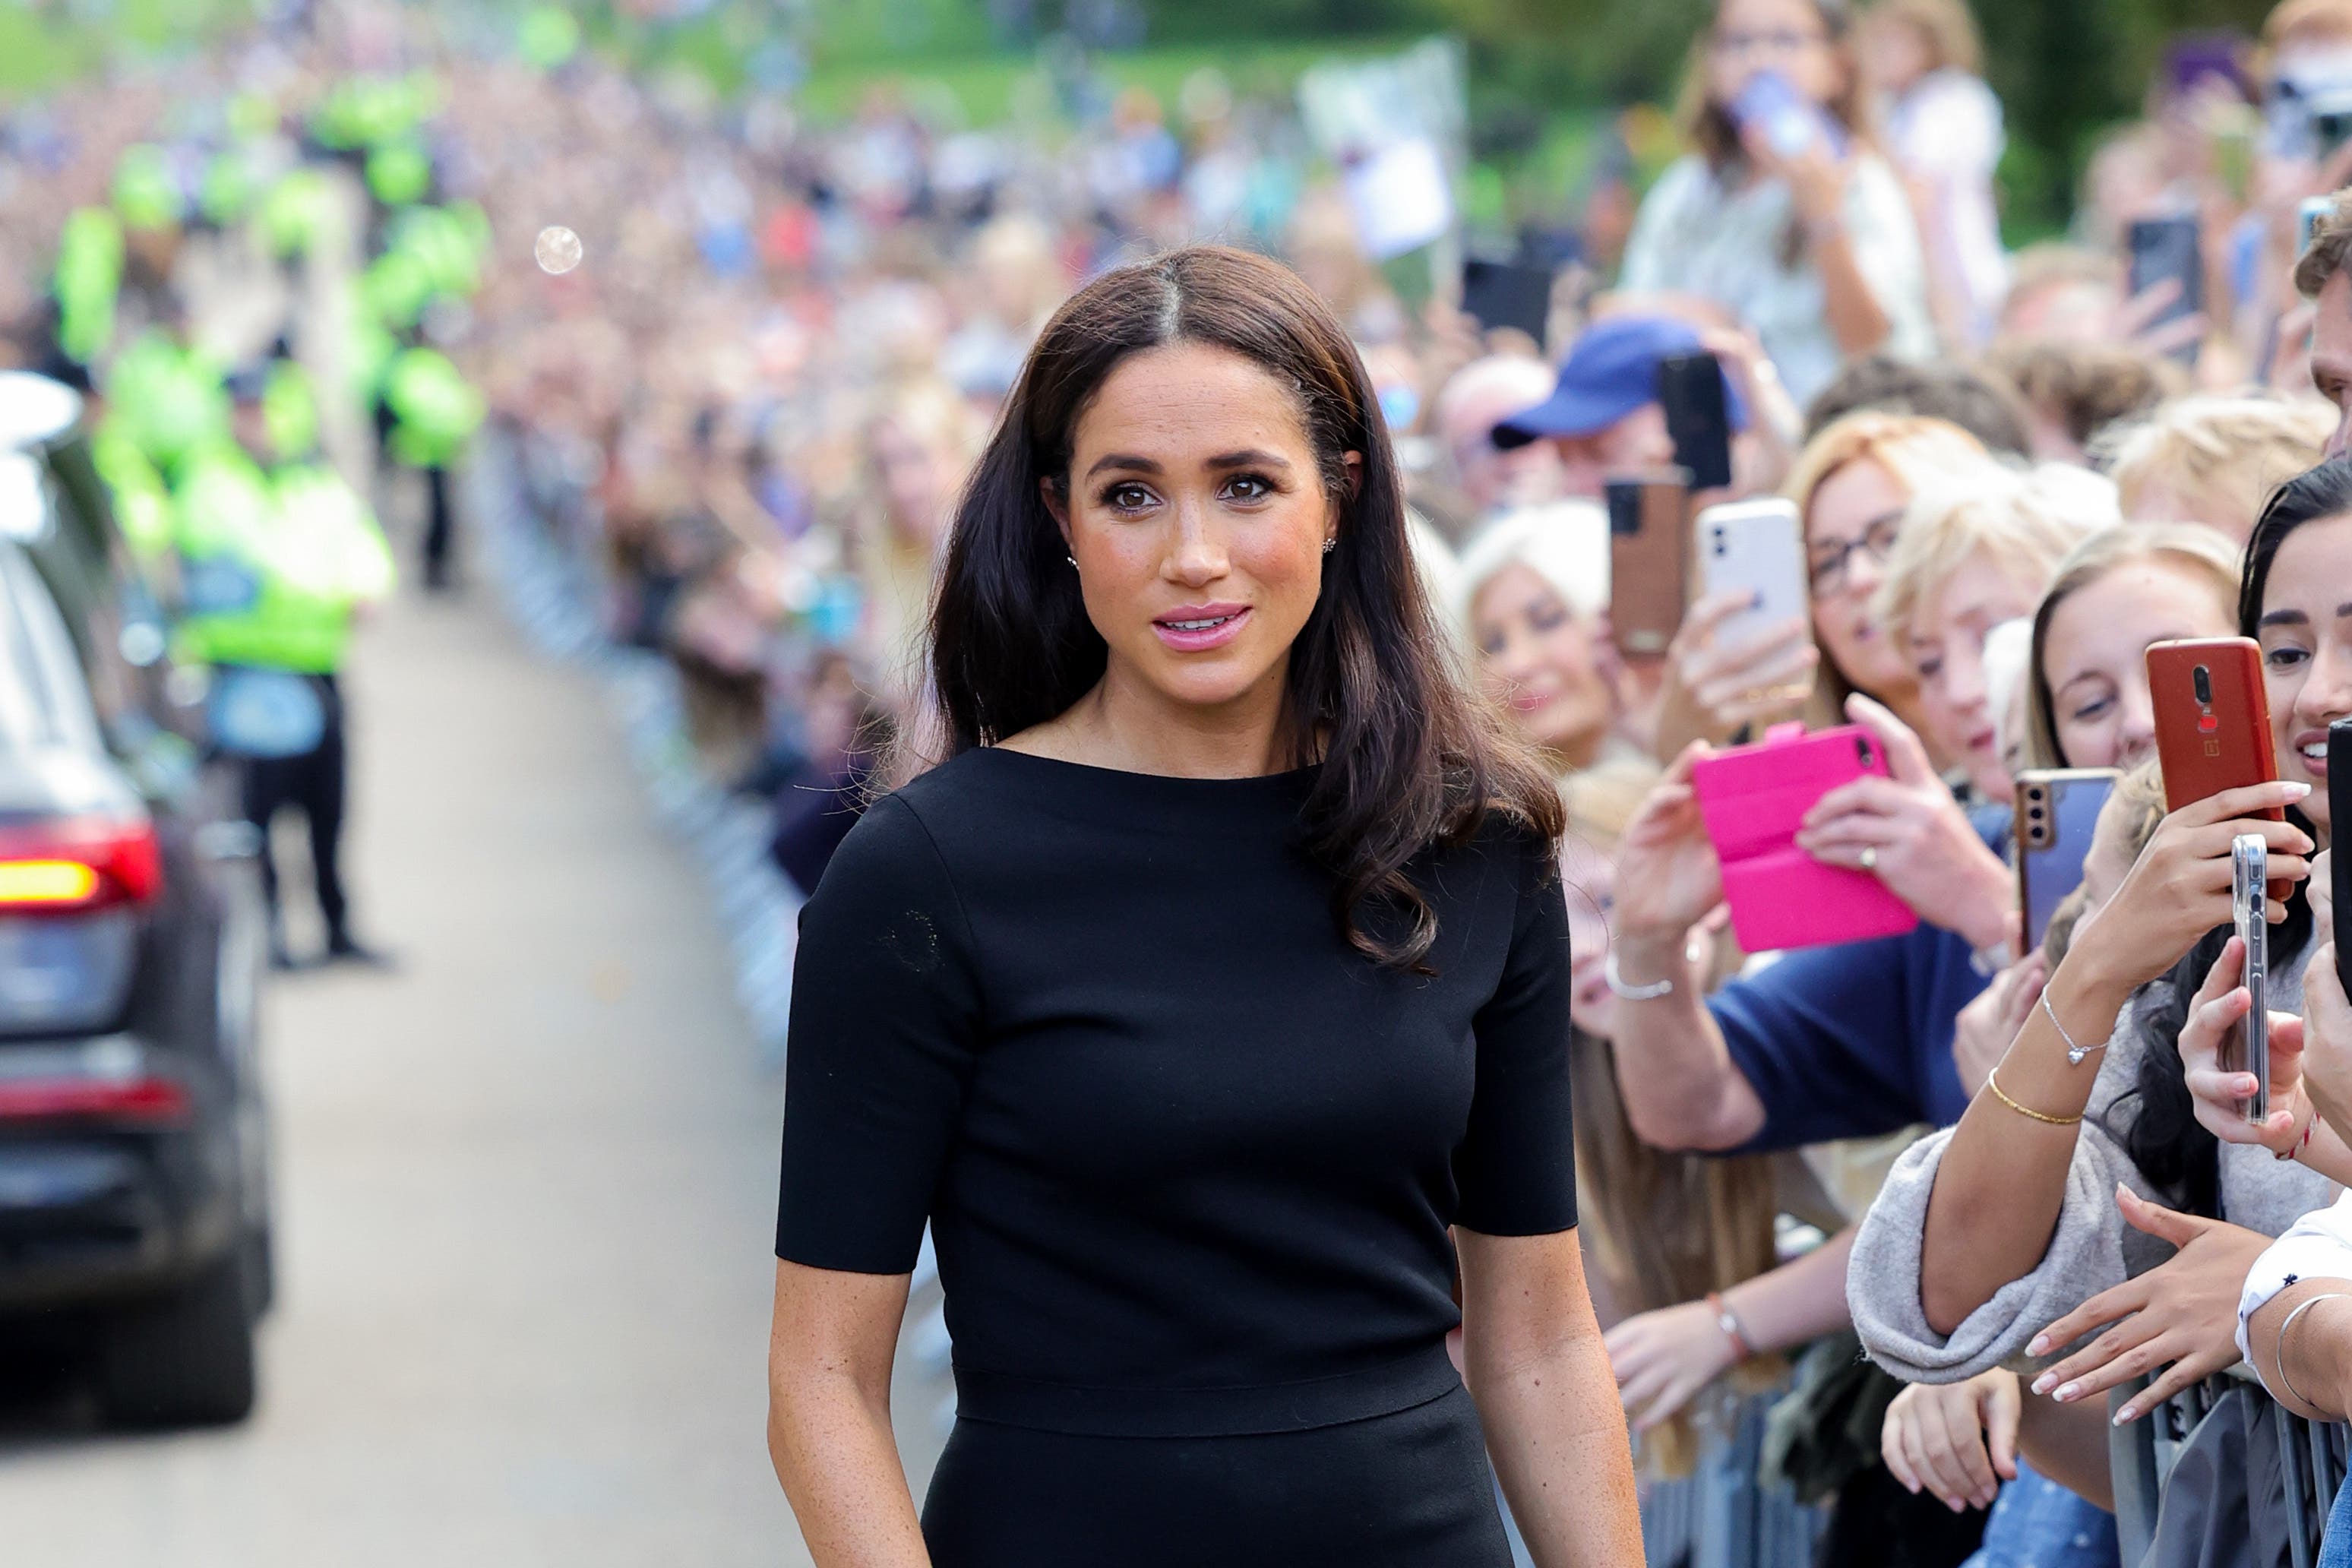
pixel 2038 1219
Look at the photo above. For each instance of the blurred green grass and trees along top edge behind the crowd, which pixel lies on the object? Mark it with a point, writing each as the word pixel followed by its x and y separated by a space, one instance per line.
pixel 1546 74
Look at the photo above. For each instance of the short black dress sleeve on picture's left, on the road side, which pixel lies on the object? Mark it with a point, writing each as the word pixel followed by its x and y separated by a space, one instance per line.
pixel 883 1033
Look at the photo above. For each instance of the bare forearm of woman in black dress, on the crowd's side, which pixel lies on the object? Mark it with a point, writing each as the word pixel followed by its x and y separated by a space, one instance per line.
pixel 1546 1400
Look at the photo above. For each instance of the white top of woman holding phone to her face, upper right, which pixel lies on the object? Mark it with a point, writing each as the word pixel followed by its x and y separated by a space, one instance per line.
pixel 1695 236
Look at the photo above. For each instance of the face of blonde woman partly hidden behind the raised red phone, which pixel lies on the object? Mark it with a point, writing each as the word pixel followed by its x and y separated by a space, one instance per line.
pixel 2097 657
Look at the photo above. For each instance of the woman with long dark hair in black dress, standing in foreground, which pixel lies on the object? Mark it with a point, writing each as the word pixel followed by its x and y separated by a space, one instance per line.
pixel 1210 998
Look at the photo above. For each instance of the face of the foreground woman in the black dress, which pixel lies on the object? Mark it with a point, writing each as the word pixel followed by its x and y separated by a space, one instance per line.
pixel 1198 521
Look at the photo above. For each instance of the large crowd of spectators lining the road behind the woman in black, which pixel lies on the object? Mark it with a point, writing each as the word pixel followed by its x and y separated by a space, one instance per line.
pixel 1944 1209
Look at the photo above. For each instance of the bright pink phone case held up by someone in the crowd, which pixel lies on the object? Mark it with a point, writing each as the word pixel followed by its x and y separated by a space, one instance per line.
pixel 1753 800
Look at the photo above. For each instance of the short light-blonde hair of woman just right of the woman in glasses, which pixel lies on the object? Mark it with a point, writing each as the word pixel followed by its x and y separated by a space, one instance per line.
pixel 2024 521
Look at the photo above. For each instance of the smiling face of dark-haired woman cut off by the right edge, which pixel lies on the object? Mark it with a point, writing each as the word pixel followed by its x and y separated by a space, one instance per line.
pixel 2306 631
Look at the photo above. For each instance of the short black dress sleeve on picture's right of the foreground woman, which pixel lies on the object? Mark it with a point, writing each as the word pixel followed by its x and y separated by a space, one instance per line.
pixel 1516 1170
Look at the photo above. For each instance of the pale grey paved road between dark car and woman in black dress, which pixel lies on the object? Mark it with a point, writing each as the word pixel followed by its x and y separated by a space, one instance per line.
pixel 523 1186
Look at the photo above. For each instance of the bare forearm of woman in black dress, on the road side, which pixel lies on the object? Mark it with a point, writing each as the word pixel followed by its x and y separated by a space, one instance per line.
pixel 829 1360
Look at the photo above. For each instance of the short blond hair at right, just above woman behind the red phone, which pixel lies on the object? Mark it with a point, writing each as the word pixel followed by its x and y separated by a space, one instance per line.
pixel 2229 448
